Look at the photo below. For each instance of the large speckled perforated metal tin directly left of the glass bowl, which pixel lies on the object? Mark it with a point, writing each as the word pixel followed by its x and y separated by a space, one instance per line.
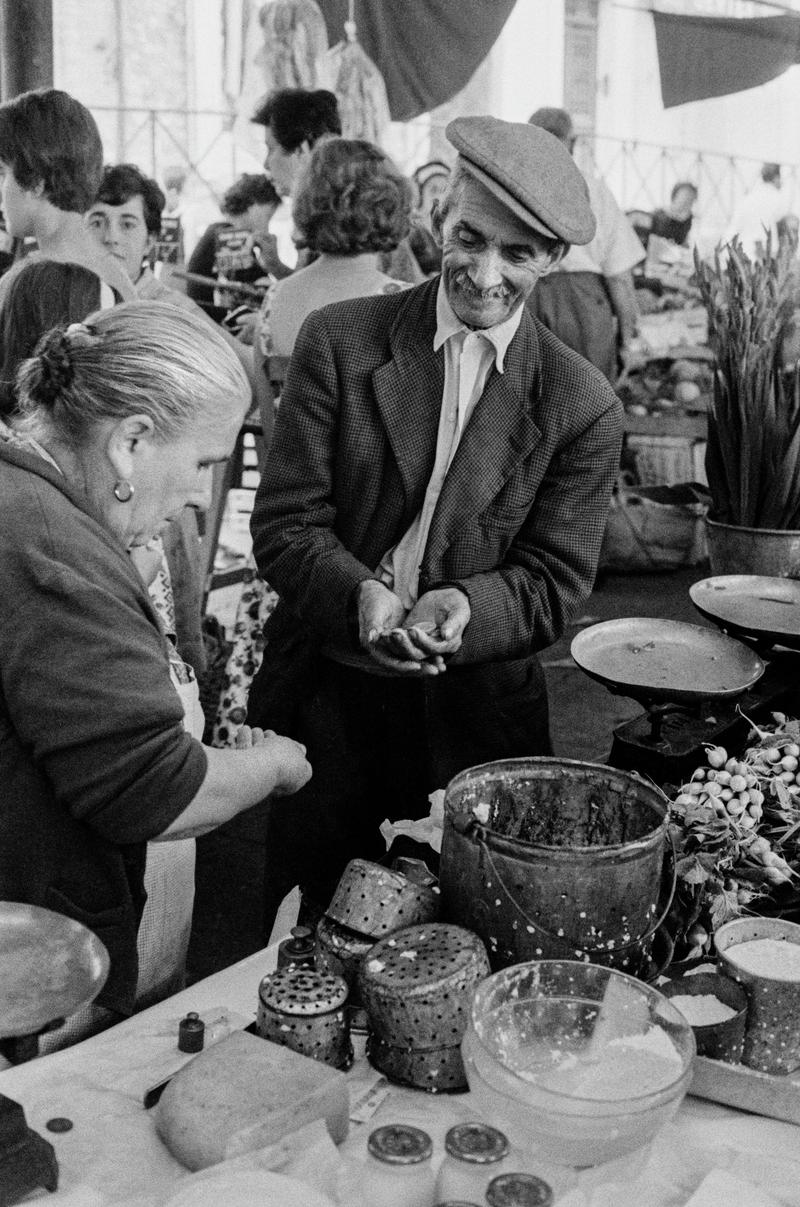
pixel 417 986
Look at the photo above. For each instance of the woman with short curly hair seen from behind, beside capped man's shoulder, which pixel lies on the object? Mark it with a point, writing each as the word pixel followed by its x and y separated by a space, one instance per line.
pixel 352 207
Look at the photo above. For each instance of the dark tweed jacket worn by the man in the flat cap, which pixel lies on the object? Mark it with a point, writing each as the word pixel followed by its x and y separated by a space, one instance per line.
pixel 523 510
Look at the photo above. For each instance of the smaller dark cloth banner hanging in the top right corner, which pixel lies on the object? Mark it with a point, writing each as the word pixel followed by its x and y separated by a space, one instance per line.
pixel 702 57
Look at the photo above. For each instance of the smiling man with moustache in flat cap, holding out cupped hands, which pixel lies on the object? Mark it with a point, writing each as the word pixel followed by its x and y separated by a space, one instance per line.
pixel 431 514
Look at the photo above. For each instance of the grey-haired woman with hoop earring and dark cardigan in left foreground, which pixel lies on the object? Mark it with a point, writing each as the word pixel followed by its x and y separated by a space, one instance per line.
pixel 121 425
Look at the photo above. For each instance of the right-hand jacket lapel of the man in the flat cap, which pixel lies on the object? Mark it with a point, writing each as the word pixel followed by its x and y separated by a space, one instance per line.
pixel 501 433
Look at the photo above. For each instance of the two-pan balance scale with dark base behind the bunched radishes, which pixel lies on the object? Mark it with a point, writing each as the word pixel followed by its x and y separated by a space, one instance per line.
pixel 698 685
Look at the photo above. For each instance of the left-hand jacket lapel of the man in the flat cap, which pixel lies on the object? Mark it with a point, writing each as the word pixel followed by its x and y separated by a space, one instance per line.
pixel 408 392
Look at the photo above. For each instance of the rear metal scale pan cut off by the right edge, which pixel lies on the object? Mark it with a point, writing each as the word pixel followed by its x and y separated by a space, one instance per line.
pixel 756 608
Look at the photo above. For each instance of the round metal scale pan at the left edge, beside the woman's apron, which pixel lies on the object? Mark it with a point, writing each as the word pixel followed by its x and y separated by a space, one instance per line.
pixel 51 966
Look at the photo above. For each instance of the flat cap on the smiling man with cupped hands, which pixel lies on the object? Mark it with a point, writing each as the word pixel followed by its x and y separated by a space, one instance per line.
pixel 530 172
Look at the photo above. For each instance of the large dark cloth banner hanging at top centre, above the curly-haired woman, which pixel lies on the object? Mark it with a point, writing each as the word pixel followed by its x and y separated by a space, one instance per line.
pixel 425 50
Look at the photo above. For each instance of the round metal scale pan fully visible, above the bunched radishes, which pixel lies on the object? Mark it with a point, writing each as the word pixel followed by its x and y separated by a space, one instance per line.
pixel 665 662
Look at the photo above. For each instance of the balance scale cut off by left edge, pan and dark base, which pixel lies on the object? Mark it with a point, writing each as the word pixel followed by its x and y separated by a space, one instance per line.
pixel 50 969
